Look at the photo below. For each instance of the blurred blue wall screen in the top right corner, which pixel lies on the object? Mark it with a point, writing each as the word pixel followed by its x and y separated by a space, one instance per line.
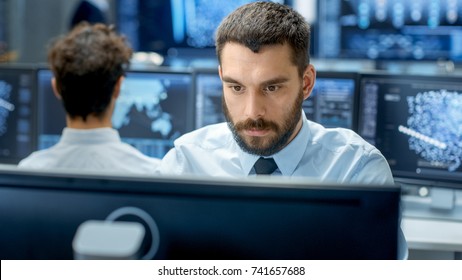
pixel 390 30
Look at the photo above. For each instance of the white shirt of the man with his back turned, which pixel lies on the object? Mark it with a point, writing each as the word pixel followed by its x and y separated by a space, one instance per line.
pixel 99 149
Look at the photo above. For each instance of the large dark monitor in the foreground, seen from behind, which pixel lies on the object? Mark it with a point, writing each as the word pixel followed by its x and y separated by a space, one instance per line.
pixel 201 218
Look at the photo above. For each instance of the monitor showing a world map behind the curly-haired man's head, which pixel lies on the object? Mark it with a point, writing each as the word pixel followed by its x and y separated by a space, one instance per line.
pixel 154 108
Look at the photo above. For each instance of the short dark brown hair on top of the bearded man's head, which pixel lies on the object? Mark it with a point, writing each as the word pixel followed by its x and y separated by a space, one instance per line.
pixel 266 23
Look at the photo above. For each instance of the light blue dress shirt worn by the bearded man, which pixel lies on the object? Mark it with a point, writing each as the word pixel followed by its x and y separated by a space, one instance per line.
pixel 329 155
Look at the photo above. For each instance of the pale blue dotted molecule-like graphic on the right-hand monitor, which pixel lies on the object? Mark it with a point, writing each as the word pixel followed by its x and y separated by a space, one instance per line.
pixel 435 127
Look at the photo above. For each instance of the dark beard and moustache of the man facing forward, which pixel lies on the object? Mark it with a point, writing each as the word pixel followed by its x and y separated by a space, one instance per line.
pixel 262 146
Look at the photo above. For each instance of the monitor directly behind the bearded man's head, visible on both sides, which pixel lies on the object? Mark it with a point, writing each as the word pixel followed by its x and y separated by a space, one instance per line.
pixel 332 102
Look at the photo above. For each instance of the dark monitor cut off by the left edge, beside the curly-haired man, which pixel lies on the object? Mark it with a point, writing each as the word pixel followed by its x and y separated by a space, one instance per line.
pixel 17 112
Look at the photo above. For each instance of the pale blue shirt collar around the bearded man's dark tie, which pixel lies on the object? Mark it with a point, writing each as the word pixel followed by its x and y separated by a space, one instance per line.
pixel 287 159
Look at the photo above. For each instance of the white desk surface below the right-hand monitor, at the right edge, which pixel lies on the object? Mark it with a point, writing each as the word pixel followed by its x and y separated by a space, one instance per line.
pixel 427 234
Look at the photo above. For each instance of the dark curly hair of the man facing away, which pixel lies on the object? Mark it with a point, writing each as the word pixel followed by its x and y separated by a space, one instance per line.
pixel 86 64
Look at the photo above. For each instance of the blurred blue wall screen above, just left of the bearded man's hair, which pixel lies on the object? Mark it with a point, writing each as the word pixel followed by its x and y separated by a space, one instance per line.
pixel 172 27
